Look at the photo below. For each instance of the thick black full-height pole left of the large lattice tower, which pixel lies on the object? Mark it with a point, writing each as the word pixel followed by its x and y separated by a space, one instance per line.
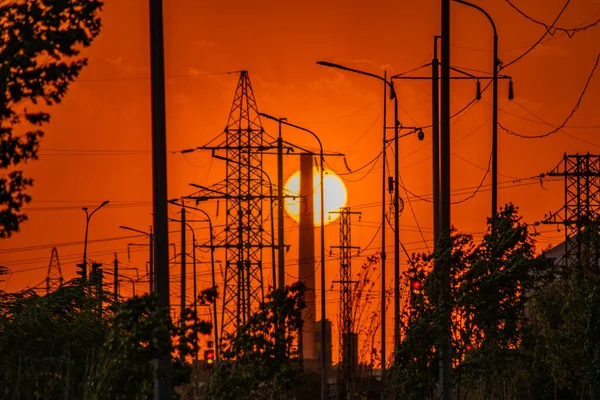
pixel 162 364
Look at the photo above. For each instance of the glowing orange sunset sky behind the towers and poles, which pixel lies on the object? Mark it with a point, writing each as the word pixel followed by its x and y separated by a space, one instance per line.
pixel 97 146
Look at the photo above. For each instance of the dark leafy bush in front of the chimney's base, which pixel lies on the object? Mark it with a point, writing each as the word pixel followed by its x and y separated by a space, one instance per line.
pixel 266 361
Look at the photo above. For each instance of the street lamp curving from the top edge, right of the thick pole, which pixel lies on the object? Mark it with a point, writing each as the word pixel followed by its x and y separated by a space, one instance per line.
pixel 496 65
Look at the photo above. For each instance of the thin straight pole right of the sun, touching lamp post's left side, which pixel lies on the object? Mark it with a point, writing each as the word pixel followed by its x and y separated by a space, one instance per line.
pixel 383 225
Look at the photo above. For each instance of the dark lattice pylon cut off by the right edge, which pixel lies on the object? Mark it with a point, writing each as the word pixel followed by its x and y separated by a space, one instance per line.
pixel 581 213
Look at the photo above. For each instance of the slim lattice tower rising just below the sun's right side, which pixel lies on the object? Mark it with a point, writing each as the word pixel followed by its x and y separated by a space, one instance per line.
pixel 348 336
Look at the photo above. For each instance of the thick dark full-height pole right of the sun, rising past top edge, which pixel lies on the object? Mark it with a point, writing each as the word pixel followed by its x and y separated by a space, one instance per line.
pixel 445 370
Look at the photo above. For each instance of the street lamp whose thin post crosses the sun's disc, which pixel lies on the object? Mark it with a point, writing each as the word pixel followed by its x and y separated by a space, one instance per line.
pixel 322 227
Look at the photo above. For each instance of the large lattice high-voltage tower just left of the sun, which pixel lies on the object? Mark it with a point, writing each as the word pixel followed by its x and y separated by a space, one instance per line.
pixel 244 192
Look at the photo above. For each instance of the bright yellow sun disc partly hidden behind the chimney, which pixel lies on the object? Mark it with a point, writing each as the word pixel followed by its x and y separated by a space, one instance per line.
pixel 335 196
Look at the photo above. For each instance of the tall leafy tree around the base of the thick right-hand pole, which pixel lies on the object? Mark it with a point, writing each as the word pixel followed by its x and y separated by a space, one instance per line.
pixel 491 283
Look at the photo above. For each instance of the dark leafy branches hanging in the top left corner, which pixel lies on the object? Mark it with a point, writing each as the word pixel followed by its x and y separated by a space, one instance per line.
pixel 39 58
